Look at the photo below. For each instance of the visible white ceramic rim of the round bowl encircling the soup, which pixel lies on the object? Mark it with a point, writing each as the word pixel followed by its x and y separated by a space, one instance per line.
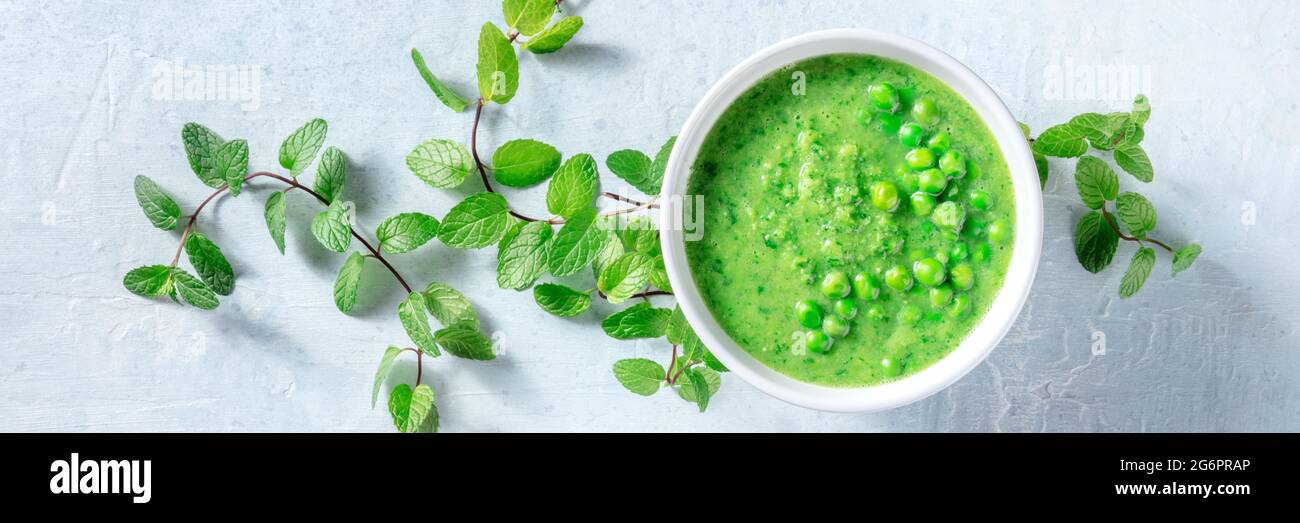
pixel 1007 305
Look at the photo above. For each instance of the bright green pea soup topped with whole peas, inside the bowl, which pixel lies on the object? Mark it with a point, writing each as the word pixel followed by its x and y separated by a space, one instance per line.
pixel 857 221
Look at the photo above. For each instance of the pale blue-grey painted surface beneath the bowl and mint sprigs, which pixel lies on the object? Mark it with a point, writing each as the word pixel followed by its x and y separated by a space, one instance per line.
pixel 81 114
